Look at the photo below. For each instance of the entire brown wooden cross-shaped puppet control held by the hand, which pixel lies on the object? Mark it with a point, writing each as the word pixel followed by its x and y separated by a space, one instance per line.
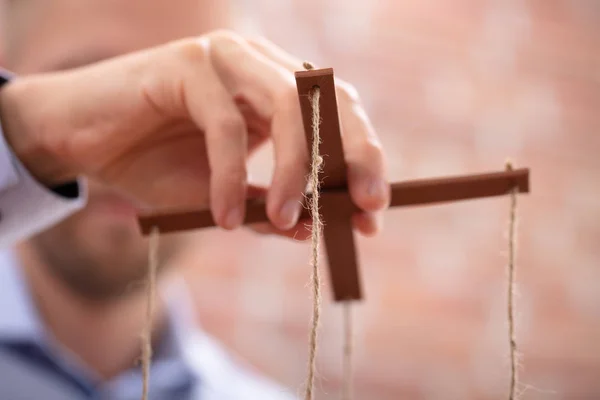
pixel 336 204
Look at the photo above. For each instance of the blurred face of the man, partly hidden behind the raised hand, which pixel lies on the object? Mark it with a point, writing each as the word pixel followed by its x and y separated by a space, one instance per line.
pixel 99 252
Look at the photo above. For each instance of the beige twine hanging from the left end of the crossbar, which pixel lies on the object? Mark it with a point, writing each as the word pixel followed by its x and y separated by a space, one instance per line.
pixel 151 295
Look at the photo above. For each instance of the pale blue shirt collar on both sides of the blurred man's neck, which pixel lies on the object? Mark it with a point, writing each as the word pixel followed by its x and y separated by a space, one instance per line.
pixel 172 366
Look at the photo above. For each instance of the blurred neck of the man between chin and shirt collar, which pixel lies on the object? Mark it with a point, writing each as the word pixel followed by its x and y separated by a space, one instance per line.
pixel 103 335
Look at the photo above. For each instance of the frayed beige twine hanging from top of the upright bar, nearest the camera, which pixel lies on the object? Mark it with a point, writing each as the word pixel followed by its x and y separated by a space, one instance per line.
pixel 317 161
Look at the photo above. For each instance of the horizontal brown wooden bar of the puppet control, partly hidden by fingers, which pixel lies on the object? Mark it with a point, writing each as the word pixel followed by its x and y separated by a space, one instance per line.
pixel 408 193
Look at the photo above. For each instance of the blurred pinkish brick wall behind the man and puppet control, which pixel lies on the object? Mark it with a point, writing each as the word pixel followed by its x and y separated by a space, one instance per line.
pixel 453 87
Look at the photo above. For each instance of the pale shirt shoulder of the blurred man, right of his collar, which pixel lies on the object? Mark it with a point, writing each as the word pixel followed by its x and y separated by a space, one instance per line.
pixel 223 377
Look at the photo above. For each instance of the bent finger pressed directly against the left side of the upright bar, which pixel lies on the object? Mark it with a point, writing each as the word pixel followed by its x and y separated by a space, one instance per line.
pixel 270 89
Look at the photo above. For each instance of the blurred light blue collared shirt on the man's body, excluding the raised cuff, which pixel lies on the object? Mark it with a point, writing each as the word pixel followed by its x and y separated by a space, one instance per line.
pixel 188 364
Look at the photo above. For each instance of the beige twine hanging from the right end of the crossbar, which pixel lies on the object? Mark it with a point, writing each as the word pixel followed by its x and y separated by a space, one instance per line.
pixel 511 291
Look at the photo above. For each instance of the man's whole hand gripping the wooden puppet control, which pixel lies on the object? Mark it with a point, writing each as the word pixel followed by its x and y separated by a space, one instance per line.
pixel 174 125
